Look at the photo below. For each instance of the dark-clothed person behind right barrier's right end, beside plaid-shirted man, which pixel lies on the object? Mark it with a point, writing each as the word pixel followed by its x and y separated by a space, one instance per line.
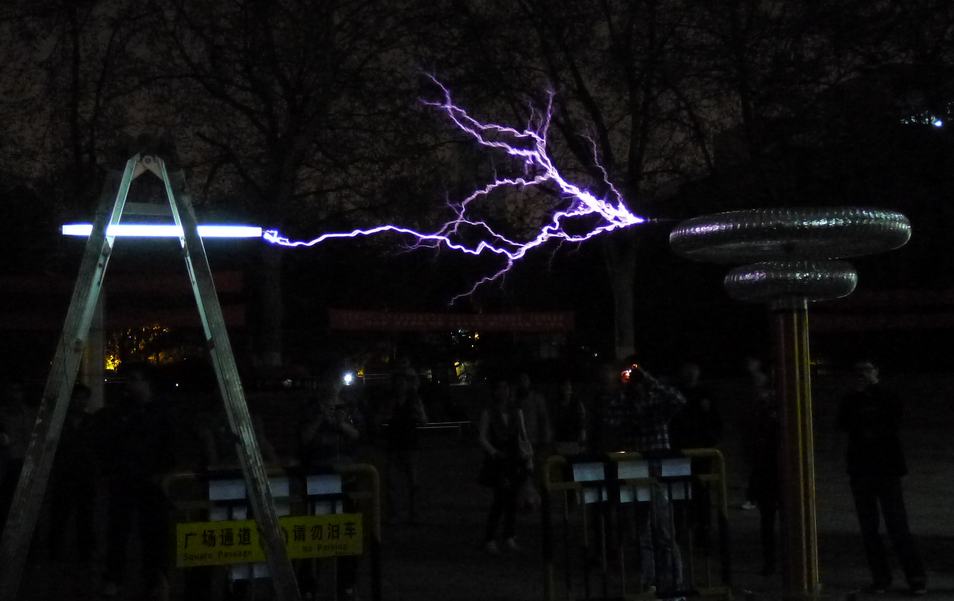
pixel 698 425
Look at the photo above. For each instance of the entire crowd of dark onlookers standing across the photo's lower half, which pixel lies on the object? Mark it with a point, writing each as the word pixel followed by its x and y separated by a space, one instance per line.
pixel 130 445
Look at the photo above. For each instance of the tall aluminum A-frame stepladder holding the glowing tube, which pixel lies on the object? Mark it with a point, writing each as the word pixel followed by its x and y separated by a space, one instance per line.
pixel 25 509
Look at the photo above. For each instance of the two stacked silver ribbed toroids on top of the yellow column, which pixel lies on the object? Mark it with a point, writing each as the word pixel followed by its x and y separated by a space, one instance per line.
pixel 792 251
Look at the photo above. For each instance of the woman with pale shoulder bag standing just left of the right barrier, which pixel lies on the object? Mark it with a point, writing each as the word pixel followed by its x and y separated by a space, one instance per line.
pixel 506 464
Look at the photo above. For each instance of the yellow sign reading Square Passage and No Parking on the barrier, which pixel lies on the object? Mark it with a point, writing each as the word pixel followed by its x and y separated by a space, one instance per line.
pixel 216 543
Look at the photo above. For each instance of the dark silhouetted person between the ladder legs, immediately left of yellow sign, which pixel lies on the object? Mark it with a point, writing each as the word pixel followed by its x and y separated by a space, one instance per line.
pixel 136 450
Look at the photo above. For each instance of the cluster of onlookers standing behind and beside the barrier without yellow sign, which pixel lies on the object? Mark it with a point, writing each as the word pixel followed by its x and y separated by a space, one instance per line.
pixel 633 411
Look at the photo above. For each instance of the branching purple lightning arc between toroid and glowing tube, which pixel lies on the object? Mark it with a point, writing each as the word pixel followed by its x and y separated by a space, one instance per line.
pixel 530 147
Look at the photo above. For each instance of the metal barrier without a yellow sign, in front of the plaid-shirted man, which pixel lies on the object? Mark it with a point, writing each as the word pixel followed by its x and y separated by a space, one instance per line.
pixel 657 507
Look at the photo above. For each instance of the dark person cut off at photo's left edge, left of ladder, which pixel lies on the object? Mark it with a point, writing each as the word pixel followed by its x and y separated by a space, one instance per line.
pixel 16 425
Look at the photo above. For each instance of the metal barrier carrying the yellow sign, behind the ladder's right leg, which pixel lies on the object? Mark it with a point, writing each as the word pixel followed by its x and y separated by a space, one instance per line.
pixel 332 513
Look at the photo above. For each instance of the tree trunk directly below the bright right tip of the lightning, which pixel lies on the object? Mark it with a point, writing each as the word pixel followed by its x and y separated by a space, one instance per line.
pixel 620 255
